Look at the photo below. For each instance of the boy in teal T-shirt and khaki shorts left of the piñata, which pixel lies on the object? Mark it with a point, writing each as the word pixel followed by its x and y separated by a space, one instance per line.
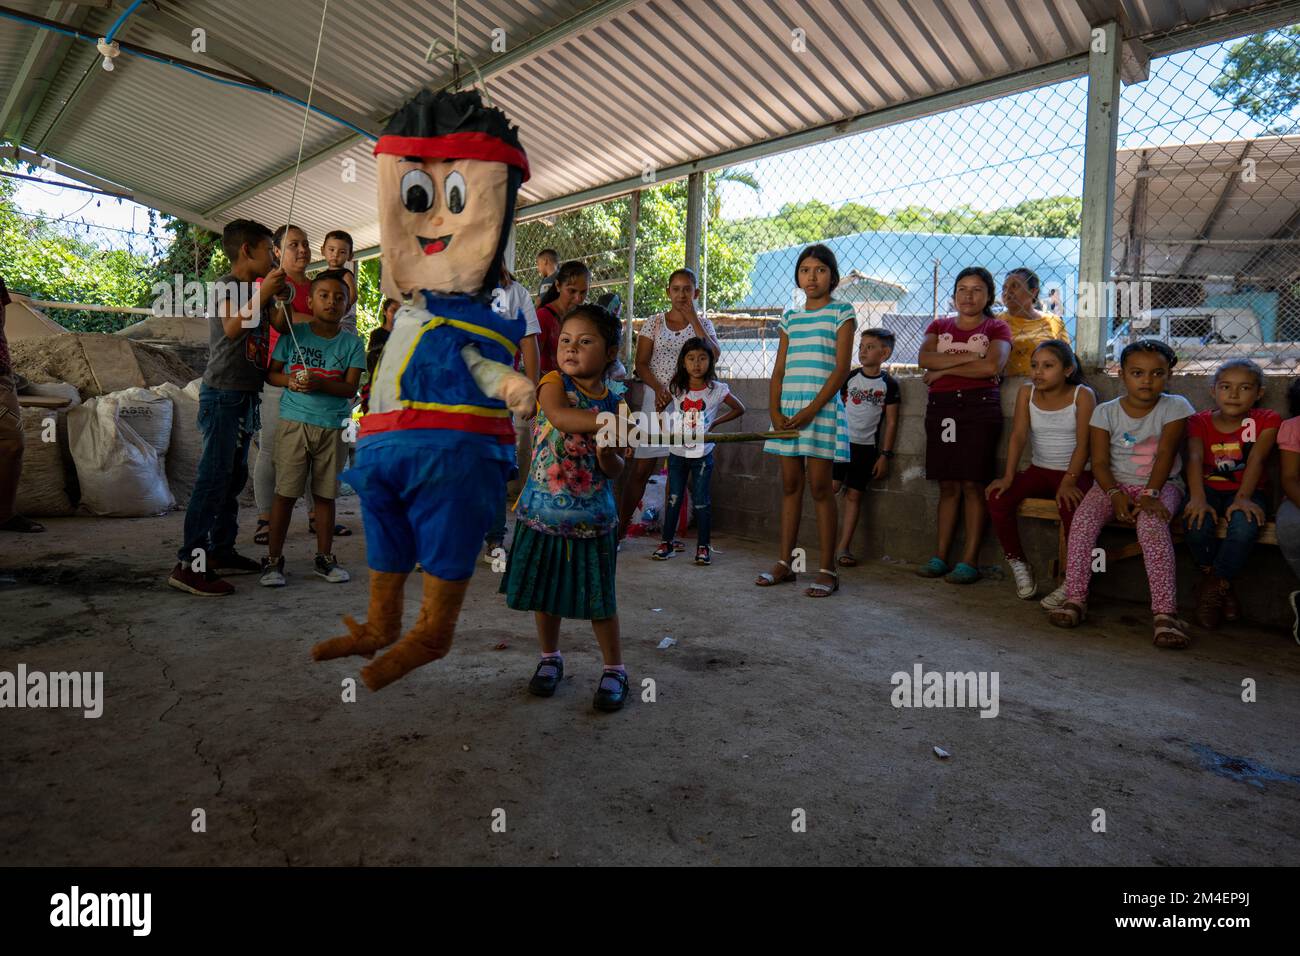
pixel 319 366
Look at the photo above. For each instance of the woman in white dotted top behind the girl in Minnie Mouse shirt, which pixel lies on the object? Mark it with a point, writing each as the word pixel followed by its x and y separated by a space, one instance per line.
pixel 658 348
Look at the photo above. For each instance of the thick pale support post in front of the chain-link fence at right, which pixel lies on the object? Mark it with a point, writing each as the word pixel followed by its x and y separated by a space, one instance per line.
pixel 1099 196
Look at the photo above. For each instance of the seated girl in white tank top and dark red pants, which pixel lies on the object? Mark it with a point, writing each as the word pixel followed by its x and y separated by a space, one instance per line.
pixel 1052 413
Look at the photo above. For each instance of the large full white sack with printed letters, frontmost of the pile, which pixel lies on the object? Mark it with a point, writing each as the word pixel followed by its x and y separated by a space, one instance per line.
pixel 122 475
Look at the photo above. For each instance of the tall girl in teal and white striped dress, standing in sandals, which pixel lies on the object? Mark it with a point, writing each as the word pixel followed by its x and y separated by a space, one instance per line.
pixel 812 365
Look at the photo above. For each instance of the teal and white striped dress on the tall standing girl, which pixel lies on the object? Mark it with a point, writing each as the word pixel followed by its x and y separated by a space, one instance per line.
pixel 809 362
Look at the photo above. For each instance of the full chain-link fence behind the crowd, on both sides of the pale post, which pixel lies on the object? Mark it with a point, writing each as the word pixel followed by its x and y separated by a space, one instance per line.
pixel 1206 254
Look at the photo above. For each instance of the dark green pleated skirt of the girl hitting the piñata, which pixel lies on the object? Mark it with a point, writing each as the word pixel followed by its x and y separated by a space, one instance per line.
pixel 567 577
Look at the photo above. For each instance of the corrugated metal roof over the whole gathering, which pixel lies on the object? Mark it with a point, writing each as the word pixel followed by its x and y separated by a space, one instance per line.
pixel 658 83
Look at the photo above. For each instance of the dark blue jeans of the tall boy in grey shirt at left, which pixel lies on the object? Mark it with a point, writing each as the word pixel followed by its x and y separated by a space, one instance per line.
pixel 228 421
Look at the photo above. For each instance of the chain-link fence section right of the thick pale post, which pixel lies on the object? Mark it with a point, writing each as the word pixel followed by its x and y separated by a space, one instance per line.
pixel 1207 226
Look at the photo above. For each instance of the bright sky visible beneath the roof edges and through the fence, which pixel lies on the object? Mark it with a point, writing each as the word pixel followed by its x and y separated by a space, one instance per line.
pixel 986 155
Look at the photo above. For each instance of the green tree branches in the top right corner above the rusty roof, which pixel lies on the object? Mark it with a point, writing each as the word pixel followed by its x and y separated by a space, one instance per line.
pixel 1262 77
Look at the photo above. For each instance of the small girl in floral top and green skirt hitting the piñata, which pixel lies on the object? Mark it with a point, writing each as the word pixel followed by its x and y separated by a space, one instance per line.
pixel 564 556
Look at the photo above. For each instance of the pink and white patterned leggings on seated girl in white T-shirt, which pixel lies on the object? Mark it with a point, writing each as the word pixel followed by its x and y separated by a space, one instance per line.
pixel 1158 546
